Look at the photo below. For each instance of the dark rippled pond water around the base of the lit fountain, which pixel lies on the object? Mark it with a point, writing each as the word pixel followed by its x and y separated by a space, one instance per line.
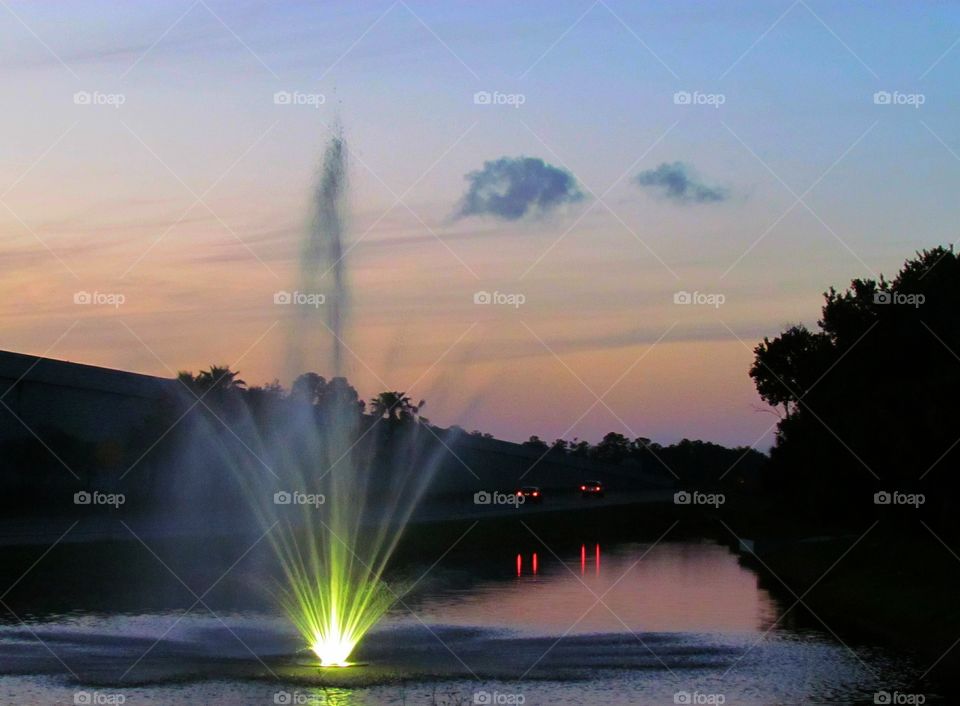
pixel 539 623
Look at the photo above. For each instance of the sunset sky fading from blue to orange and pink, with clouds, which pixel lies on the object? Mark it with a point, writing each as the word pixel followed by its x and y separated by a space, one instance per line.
pixel 145 154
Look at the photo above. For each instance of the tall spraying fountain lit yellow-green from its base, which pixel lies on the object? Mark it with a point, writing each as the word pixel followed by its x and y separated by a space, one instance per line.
pixel 333 489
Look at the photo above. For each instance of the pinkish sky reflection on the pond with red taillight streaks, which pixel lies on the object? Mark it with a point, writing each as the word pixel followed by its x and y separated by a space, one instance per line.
pixel 673 586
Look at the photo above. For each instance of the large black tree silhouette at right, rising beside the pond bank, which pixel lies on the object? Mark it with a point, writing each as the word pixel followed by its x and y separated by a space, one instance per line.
pixel 869 400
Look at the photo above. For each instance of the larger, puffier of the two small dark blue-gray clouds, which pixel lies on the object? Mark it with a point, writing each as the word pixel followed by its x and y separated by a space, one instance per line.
pixel 511 188
